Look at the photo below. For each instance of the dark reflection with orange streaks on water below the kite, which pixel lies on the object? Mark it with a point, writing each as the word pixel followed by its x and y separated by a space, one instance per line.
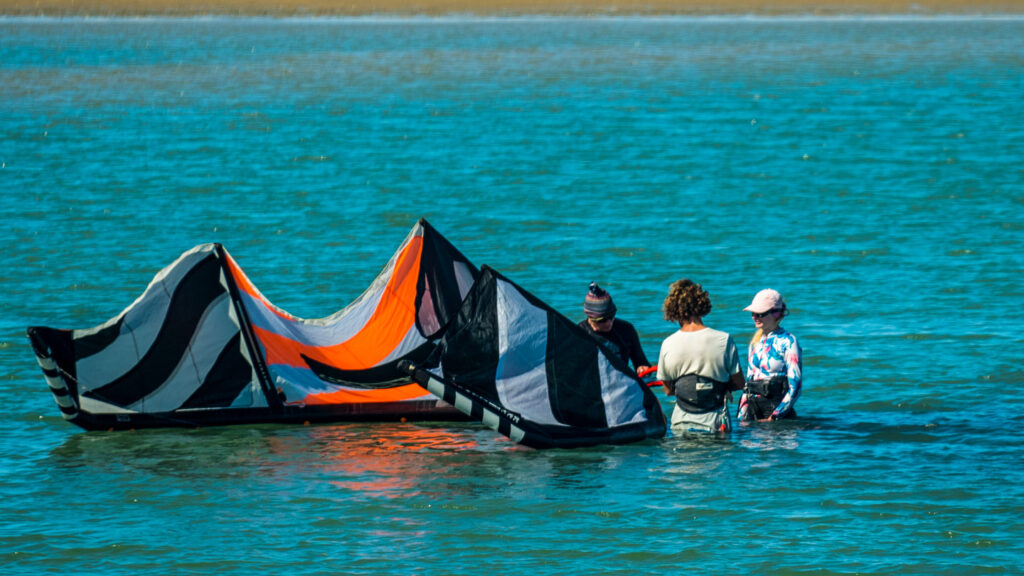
pixel 376 460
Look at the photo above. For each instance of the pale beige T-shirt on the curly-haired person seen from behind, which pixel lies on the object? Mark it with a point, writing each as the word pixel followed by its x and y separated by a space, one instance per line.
pixel 709 353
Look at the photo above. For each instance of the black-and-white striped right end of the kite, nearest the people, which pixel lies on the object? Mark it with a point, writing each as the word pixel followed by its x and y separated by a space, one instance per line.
pixel 529 373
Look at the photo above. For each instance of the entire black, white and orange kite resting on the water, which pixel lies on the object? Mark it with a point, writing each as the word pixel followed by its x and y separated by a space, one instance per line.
pixel 203 347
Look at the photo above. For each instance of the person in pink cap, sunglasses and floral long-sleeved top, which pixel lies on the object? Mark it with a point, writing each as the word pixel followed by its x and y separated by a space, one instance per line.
pixel 775 371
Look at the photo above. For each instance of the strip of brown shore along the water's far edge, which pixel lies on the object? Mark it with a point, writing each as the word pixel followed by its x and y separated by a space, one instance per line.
pixel 506 8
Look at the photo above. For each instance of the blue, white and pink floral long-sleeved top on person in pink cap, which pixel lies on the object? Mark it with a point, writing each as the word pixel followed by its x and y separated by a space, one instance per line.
pixel 775 355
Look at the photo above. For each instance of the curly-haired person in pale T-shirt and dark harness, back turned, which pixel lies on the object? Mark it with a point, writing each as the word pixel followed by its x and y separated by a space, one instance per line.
pixel 698 364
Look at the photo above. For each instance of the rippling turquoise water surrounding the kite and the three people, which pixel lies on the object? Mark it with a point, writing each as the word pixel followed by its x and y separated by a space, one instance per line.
pixel 869 169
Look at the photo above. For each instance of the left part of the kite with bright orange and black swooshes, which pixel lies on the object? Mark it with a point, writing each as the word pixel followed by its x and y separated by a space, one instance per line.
pixel 202 347
